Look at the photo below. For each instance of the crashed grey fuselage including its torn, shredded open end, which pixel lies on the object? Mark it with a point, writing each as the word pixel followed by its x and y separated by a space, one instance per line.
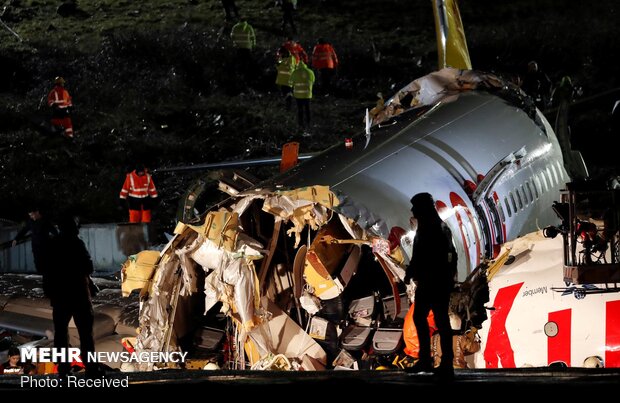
pixel 288 258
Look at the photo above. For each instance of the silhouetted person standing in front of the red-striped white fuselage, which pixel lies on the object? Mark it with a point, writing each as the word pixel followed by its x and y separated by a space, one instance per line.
pixel 433 268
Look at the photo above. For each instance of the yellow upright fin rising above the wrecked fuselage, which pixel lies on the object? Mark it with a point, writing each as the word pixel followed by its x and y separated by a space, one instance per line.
pixel 451 43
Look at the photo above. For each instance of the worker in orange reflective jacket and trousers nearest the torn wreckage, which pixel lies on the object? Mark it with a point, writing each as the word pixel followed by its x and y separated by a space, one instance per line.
pixel 139 190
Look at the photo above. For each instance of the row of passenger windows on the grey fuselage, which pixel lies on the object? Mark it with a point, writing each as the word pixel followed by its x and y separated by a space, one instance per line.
pixel 531 189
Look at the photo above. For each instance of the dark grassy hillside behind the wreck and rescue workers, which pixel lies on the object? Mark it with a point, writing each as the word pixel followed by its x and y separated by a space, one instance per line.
pixel 157 80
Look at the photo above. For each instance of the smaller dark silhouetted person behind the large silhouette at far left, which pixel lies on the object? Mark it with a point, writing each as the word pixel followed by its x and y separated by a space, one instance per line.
pixel 41 231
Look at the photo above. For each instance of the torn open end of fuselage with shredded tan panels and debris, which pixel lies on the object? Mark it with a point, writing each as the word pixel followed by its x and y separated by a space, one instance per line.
pixel 275 262
